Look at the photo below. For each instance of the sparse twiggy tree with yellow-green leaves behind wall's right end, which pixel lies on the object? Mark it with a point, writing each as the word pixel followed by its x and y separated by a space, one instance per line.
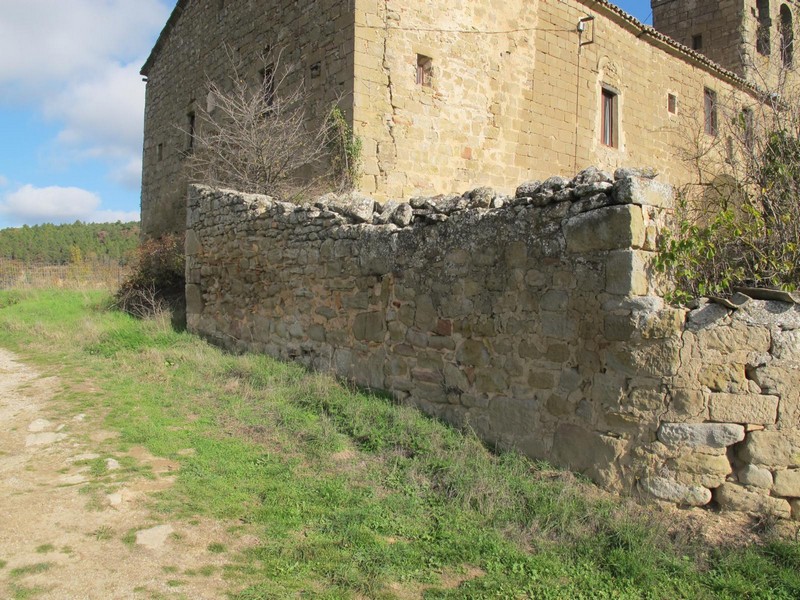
pixel 739 219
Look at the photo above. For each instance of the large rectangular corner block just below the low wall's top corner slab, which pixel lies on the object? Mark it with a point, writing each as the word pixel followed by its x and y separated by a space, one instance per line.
pixel 608 228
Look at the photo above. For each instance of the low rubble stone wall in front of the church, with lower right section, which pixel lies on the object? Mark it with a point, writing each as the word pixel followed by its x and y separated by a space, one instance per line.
pixel 534 320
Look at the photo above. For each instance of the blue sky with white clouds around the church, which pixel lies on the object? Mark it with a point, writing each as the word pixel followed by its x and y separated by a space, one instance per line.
pixel 71 106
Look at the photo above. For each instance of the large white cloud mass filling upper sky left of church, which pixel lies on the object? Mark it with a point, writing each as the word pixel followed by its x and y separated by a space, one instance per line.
pixel 77 62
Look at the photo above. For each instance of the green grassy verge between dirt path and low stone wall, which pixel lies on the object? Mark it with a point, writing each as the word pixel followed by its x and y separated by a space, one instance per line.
pixel 351 496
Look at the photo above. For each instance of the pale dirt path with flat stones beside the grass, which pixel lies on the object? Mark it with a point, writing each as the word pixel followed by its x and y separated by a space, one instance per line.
pixel 63 535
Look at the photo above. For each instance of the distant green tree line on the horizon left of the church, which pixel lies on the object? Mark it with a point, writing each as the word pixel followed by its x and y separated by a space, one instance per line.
pixel 73 243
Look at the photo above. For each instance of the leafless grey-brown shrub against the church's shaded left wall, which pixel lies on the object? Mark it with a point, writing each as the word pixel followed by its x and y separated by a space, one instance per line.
pixel 259 136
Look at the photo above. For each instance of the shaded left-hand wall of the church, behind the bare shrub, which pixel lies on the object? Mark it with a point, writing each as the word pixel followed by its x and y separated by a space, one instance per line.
pixel 200 44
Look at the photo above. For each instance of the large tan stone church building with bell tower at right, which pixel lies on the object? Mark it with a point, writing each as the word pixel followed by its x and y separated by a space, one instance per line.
pixel 447 96
